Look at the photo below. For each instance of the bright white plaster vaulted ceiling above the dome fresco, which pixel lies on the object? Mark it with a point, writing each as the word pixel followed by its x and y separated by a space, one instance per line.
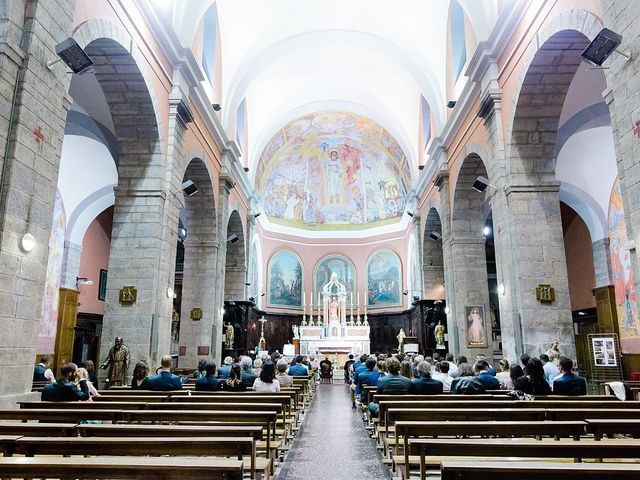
pixel 288 58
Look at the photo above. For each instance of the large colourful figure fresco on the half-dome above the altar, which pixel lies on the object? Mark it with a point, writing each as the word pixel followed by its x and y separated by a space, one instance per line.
pixel 333 170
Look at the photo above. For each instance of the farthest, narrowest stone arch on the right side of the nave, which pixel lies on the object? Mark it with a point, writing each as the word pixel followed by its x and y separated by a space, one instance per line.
pixel 432 257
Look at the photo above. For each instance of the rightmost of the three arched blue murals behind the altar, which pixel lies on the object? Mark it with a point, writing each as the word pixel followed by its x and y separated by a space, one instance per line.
pixel 384 275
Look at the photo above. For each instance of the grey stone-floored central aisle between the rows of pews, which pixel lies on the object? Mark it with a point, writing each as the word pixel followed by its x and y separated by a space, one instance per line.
pixel 333 443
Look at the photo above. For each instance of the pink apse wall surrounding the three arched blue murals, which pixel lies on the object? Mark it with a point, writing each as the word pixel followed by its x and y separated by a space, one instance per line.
pixel 357 250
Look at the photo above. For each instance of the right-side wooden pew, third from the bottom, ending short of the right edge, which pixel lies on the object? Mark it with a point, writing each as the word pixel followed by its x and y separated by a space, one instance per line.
pixel 410 429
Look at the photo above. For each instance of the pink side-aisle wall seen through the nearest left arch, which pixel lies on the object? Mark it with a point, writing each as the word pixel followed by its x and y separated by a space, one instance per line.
pixel 95 255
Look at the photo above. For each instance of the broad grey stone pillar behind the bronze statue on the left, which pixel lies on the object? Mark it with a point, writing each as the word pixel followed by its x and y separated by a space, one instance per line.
pixel 143 248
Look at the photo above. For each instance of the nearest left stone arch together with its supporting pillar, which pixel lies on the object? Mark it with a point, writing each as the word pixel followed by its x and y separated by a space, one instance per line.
pixel 143 240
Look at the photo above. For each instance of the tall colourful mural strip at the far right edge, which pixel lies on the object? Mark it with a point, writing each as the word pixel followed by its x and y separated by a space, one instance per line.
pixel 625 291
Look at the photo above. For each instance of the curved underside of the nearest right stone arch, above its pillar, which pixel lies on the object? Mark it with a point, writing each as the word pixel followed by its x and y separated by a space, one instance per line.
pixel 549 65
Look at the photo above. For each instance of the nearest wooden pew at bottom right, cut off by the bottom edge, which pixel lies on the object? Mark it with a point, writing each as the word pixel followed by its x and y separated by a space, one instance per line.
pixel 454 470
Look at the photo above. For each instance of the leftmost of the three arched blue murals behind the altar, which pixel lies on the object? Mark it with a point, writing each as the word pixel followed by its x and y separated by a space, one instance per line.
pixel 285 280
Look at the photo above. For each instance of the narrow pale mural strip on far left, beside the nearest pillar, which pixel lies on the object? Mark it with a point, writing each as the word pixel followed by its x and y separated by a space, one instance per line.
pixel 49 314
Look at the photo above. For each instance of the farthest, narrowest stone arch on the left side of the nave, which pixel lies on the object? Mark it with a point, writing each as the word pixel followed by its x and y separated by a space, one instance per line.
pixel 236 263
